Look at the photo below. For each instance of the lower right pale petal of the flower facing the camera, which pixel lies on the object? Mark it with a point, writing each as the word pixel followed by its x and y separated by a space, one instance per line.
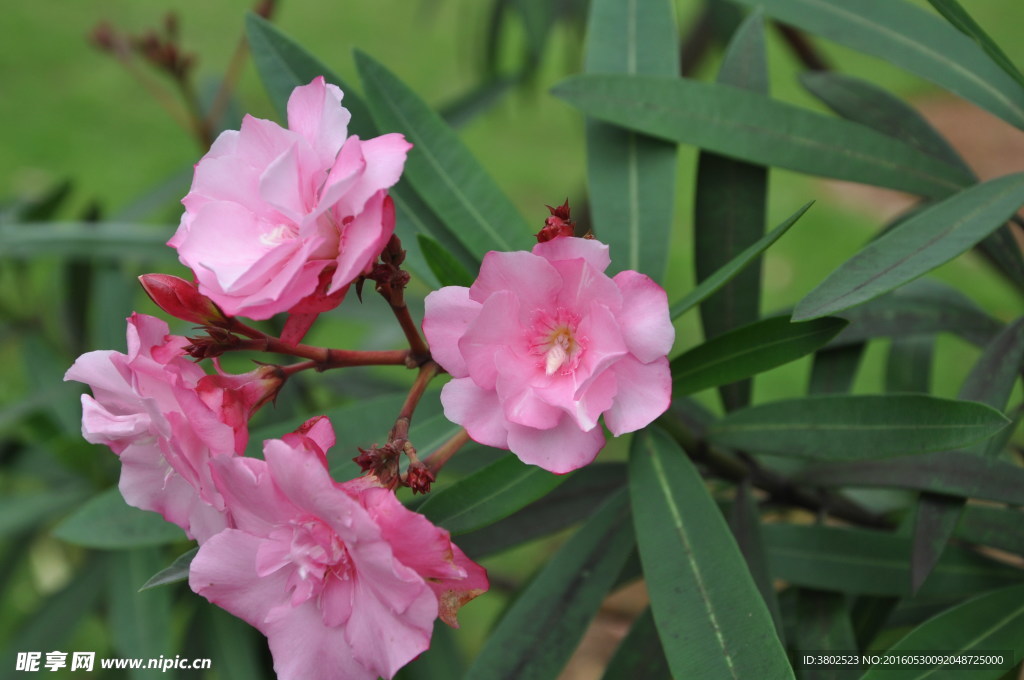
pixel 645 393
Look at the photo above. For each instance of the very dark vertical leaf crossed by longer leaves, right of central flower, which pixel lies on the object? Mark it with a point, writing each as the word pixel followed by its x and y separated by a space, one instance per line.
pixel 730 209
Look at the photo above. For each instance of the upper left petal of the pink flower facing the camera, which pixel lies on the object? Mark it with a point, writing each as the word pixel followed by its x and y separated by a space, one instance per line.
pixel 532 279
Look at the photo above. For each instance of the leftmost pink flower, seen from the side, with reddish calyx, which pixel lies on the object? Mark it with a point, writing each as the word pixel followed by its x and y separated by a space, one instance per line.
pixel 166 419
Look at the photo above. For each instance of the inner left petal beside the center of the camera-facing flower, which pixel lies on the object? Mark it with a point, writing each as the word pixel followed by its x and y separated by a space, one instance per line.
pixel 496 327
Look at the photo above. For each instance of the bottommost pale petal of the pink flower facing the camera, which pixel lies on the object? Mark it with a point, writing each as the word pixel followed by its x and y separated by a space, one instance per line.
pixel 563 449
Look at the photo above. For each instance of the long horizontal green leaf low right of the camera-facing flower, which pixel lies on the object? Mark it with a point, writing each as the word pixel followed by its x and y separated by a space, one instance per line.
pixel 844 428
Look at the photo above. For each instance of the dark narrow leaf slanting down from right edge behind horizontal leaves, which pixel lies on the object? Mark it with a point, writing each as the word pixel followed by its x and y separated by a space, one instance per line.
pixel 991 381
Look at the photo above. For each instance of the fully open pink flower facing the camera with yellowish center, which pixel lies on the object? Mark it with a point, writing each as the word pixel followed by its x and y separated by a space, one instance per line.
pixel 544 344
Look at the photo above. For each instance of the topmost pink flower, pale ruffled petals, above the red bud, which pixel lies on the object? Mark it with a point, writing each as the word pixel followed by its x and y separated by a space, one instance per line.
pixel 280 219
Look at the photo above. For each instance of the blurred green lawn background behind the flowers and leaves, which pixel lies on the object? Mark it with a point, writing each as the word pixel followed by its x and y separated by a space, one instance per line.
pixel 88 136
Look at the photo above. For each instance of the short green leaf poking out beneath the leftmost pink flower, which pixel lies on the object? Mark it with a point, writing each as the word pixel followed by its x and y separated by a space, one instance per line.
pixel 107 522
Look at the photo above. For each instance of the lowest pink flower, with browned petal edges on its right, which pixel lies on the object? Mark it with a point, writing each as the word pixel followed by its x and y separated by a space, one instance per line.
pixel 344 581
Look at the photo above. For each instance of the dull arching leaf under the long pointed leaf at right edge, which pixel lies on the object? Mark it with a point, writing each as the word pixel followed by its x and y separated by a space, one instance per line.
pixel 920 308
